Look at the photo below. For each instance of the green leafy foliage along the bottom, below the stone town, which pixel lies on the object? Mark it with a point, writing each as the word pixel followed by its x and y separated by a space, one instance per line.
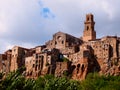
pixel 16 81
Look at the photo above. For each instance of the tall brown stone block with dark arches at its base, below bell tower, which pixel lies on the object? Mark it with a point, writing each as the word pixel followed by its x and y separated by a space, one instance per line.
pixel 83 62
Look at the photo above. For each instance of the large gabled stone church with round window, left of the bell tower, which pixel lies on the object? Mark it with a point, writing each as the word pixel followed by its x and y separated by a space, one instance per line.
pixel 62 40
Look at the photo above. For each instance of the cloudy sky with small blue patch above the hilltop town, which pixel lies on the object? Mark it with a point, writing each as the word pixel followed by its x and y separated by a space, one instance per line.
pixel 30 23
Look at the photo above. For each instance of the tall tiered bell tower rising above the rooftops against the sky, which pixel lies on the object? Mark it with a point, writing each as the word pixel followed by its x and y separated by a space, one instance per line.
pixel 89 33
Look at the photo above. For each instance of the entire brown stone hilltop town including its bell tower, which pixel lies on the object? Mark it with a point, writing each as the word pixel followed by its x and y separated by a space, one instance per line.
pixel 66 55
